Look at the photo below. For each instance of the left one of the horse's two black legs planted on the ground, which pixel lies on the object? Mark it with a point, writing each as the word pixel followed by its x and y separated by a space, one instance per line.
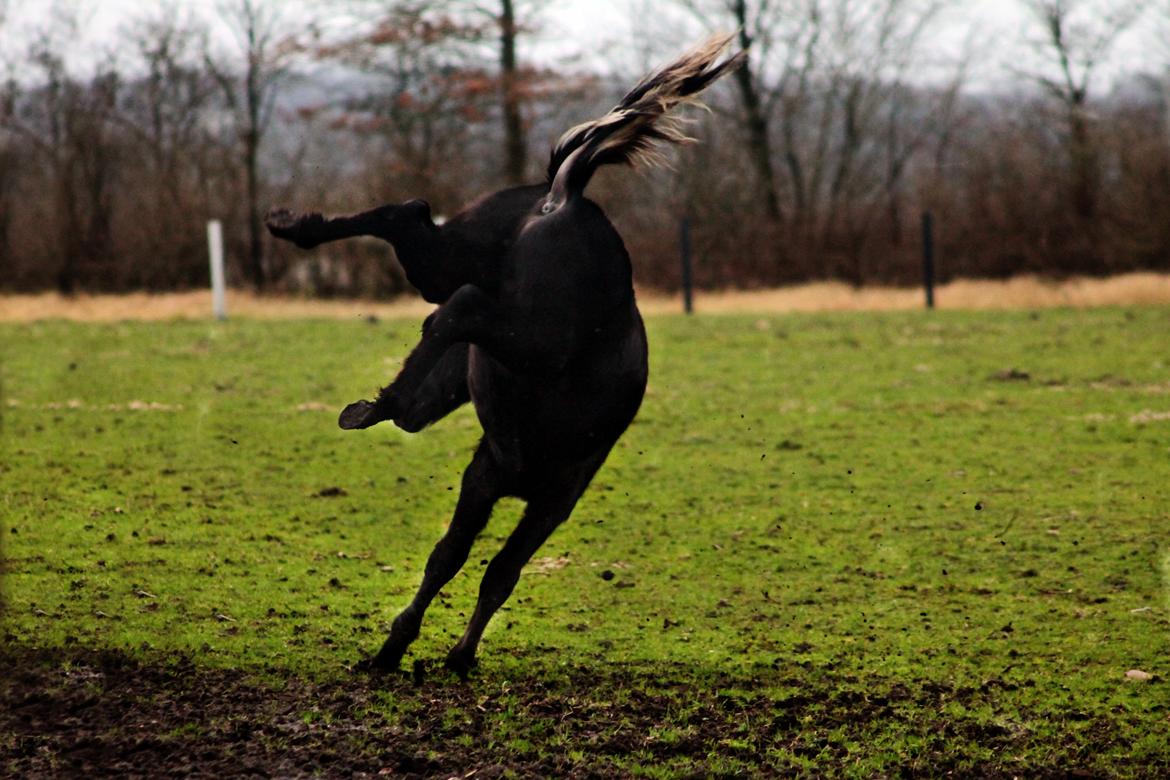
pixel 480 491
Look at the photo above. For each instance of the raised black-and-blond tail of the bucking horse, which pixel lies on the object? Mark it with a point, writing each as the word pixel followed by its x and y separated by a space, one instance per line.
pixel 631 133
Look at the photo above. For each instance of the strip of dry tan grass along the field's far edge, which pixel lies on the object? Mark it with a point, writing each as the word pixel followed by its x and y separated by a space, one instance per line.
pixel 1021 293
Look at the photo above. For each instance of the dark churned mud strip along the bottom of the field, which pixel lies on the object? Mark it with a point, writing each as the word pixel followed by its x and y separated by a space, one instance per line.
pixel 93 714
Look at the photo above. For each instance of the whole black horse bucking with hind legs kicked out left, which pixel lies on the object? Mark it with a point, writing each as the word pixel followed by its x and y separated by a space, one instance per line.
pixel 538 327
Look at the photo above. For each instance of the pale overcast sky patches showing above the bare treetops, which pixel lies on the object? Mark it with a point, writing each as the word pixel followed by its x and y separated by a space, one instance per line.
pixel 597 33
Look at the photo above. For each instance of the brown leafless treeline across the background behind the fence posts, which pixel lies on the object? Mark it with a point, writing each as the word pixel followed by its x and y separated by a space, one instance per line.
pixel 817 161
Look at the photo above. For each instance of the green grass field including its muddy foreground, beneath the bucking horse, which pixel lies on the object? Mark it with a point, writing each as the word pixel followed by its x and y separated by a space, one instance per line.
pixel 846 544
